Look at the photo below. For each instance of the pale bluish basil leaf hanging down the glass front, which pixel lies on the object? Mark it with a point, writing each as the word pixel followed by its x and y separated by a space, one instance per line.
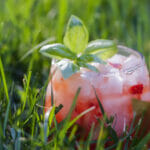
pixel 67 68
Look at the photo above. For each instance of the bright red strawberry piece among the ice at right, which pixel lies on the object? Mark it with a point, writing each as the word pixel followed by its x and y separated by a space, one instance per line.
pixel 136 89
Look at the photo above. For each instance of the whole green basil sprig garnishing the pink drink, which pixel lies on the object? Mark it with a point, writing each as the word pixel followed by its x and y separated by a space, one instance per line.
pixel 76 52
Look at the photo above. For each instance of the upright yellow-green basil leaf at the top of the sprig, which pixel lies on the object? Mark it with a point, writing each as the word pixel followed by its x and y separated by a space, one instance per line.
pixel 76 36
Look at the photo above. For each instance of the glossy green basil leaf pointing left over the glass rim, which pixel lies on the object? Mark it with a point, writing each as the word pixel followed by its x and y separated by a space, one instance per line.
pixel 58 51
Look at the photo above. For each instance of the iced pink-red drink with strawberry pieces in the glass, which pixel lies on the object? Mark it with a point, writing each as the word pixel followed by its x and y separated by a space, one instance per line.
pixel 124 77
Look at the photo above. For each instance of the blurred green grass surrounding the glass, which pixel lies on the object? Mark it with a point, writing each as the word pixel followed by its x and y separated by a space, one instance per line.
pixel 24 25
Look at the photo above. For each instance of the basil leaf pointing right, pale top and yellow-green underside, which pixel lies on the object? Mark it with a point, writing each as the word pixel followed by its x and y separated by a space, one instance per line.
pixel 102 48
